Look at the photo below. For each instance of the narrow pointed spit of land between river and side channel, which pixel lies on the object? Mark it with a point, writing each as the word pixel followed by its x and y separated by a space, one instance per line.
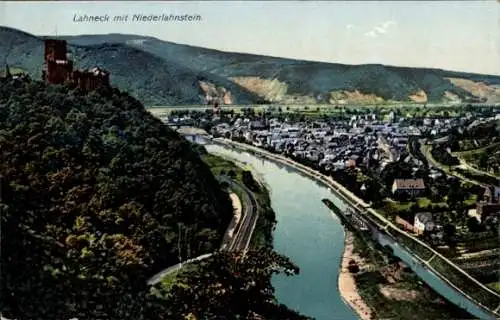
pixel 380 288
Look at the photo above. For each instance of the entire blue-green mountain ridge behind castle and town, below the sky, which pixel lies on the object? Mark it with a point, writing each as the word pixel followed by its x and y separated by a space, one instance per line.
pixel 163 73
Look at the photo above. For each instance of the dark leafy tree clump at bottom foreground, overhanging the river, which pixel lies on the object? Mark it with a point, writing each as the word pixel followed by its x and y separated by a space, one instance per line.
pixel 230 286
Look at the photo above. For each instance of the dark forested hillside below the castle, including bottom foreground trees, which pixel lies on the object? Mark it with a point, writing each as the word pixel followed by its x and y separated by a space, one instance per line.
pixel 96 197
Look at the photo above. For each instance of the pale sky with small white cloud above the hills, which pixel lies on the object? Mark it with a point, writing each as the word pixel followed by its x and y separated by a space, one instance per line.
pixel 461 35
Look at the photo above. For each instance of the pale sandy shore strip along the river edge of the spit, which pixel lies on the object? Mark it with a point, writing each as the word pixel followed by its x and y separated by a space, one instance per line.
pixel 347 282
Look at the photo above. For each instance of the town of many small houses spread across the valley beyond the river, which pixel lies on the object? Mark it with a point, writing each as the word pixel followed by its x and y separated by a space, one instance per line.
pixel 393 159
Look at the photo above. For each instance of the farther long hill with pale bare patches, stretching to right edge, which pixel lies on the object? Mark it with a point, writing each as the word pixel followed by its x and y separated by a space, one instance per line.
pixel 288 80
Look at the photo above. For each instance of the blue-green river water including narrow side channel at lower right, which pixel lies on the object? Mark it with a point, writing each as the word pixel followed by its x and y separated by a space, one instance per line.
pixel 313 239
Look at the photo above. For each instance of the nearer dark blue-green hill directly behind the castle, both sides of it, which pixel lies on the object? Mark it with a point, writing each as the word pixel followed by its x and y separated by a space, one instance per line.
pixel 152 80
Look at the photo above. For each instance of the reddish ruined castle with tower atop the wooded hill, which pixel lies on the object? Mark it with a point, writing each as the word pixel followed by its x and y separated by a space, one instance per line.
pixel 58 68
